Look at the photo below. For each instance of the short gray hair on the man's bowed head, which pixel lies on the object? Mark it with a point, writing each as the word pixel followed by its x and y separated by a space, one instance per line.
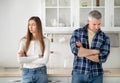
pixel 94 14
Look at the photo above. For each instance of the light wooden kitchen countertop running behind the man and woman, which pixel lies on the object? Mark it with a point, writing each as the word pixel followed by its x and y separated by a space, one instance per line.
pixel 54 72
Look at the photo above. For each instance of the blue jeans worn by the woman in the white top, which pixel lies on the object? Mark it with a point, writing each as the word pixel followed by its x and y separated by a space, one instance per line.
pixel 36 75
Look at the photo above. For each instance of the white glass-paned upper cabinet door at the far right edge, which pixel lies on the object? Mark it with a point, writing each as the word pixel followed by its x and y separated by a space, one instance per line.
pixel 112 15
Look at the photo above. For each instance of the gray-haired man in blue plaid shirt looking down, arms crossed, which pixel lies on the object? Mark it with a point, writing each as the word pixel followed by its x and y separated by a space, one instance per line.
pixel 91 47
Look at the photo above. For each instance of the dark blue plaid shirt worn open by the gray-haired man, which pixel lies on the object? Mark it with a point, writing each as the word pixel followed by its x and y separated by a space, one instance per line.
pixel 100 42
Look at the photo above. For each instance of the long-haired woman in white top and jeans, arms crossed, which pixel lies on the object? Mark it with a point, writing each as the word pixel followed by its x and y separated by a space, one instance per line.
pixel 33 53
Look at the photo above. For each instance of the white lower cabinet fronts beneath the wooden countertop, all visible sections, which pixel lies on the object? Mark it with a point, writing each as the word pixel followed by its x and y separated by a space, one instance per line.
pixel 56 79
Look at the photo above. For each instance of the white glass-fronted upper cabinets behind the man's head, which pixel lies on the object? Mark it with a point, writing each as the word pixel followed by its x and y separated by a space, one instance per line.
pixel 63 16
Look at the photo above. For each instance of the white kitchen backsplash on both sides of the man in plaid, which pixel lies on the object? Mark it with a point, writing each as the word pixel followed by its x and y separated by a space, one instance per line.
pixel 63 57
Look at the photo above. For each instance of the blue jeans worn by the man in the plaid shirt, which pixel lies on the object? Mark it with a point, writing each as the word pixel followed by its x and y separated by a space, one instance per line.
pixel 81 78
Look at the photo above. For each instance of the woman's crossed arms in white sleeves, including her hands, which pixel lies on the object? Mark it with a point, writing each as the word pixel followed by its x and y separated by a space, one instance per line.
pixel 35 59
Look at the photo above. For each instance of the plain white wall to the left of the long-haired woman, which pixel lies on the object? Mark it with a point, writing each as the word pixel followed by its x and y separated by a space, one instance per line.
pixel 13 25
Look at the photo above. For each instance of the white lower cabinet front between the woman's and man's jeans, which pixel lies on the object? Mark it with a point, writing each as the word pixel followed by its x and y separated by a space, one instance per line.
pixel 58 79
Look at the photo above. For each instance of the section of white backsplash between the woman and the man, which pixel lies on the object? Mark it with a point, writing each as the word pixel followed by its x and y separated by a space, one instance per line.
pixel 62 56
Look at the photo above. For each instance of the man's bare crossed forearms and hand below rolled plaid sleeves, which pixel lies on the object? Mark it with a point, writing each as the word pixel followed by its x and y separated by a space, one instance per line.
pixel 90 54
